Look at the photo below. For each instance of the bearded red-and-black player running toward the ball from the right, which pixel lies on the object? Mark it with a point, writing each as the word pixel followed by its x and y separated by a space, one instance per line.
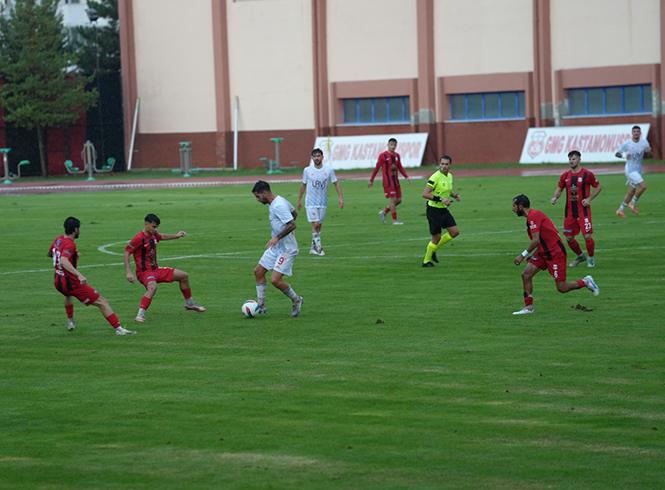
pixel 550 254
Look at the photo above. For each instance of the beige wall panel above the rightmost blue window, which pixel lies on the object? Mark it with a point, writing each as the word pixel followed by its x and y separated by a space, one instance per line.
pixel 597 33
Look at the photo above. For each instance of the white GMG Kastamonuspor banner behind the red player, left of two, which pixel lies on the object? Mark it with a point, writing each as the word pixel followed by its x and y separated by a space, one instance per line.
pixel 349 152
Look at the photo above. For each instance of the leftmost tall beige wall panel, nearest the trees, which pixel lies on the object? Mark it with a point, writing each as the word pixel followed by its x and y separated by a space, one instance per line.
pixel 175 75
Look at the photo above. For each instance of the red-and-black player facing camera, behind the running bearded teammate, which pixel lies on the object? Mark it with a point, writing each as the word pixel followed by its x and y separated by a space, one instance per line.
pixel 578 182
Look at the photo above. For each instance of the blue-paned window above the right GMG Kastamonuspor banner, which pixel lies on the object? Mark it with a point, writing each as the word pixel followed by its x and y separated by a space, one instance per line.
pixel 610 100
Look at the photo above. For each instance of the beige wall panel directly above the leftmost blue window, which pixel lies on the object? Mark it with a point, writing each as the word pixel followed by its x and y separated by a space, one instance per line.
pixel 372 40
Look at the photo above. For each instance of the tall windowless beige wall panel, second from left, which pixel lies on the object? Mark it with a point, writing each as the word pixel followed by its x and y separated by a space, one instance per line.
pixel 270 61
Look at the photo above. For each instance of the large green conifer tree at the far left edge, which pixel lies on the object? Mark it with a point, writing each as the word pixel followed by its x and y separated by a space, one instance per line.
pixel 42 88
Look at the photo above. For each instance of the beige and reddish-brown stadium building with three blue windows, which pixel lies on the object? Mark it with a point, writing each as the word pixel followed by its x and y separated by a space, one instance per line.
pixel 473 74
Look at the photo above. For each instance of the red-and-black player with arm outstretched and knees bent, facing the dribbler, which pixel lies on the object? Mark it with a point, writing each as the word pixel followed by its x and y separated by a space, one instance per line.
pixel 144 248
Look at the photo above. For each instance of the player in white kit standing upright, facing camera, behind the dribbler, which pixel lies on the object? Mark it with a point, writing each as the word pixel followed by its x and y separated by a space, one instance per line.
pixel 315 179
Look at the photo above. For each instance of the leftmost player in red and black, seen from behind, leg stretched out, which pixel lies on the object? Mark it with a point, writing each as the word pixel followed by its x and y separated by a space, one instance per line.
pixel 71 283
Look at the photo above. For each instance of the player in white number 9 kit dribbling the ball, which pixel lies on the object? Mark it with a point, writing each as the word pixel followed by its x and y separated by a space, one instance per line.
pixel 281 249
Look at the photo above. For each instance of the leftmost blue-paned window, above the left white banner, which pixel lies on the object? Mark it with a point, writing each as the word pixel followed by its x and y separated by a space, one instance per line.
pixel 377 110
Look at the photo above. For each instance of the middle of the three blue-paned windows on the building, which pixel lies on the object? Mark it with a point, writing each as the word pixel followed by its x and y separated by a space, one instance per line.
pixel 490 105
